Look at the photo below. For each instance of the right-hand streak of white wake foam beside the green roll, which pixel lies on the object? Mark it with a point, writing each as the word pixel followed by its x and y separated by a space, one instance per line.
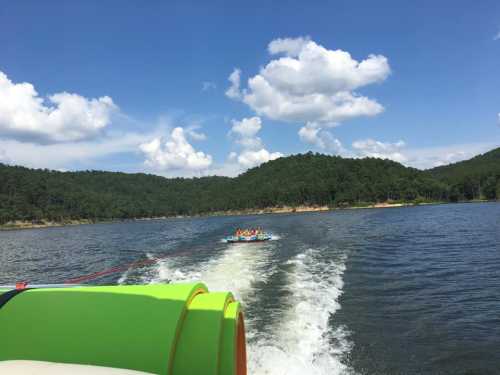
pixel 303 343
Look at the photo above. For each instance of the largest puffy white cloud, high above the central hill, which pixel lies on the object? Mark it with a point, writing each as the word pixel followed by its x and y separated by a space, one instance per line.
pixel 311 84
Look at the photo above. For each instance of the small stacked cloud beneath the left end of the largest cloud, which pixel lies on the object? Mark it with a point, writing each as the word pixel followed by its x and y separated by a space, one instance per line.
pixel 252 152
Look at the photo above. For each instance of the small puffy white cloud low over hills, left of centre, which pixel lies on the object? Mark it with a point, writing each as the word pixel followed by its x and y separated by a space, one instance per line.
pixel 176 153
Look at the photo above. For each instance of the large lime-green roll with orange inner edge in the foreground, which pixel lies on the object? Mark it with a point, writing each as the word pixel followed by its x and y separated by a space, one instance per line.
pixel 169 329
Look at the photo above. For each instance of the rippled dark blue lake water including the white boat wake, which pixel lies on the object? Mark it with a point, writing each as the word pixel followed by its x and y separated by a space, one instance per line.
pixel 383 291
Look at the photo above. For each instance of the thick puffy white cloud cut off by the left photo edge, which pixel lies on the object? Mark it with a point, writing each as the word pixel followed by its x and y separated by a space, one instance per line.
pixel 63 117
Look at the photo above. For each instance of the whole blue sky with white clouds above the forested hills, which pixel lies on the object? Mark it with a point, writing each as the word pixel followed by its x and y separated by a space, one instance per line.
pixel 202 88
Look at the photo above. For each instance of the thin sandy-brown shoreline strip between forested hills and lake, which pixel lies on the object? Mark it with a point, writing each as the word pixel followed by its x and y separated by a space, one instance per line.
pixel 20 225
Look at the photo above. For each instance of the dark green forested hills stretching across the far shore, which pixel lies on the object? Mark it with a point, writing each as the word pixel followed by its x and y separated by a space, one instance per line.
pixel 306 179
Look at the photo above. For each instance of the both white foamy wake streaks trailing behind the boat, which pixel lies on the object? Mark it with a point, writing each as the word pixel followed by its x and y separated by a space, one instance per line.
pixel 301 341
